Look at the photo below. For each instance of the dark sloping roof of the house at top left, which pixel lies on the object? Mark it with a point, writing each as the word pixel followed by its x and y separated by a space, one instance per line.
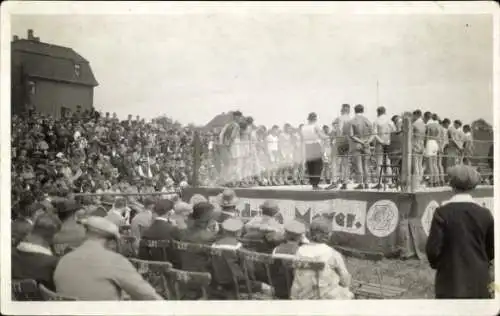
pixel 53 62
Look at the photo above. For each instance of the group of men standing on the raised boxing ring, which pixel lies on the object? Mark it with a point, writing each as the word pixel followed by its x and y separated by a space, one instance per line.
pixel 274 156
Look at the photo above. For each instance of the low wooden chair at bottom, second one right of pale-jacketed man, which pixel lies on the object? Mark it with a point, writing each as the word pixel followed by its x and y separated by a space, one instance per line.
pixel 187 284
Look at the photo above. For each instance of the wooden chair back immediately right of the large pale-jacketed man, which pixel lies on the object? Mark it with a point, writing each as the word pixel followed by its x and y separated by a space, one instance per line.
pixel 155 273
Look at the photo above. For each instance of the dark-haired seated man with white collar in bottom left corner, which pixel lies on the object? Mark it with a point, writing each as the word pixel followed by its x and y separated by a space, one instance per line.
pixel 33 258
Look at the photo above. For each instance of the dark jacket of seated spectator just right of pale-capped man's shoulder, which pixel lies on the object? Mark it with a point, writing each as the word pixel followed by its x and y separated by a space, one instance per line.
pixel 159 230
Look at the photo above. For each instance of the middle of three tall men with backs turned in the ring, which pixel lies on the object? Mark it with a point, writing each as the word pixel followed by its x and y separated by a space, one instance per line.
pixel 361 133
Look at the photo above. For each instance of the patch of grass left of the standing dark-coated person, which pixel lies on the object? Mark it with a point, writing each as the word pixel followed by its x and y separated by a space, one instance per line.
pixel 414 275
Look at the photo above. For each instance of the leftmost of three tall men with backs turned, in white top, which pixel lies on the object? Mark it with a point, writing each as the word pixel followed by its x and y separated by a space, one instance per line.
pixel 342 142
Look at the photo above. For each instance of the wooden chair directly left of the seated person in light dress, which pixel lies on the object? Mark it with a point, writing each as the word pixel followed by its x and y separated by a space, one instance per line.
pixel 256 267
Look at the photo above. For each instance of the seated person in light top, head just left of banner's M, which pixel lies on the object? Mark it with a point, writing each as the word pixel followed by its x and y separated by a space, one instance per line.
pixel 265 231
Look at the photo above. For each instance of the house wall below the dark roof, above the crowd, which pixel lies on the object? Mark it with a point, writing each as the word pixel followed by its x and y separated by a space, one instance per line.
pixel 50 96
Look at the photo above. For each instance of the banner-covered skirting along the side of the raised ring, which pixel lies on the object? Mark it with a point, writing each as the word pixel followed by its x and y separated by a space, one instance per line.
pixel 391 224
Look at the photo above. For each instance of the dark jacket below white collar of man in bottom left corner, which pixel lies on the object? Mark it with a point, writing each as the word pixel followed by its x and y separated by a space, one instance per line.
pixel 36 266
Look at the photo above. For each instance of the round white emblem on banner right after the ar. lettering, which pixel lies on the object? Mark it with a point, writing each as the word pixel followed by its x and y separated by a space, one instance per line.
pixel 382 218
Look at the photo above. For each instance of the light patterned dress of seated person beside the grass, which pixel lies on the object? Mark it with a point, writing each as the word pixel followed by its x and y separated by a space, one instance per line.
pixel 305 281
